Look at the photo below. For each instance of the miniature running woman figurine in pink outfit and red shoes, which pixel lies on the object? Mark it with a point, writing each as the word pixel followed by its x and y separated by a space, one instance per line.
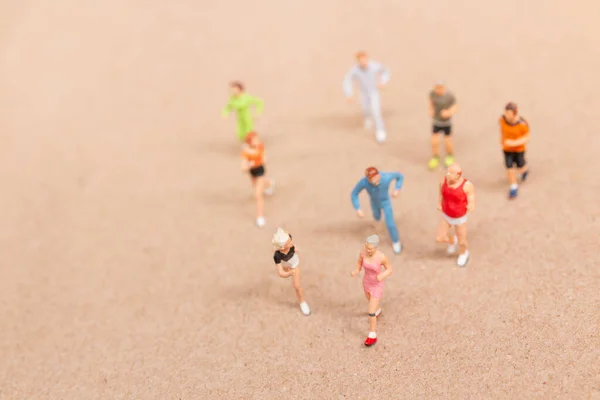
pixel 372 259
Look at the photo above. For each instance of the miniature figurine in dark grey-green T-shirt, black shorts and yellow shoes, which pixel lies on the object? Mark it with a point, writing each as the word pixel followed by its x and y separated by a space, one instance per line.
pixel 442 106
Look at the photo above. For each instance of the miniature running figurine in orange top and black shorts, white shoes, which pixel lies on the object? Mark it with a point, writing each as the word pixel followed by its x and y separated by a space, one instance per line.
pixel 253 161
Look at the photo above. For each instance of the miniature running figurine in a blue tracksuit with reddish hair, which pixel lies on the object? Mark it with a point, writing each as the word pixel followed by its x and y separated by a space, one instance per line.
pixel 377 185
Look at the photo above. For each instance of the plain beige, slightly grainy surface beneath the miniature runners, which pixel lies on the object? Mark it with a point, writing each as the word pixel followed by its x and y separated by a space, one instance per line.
pixel 130 266
